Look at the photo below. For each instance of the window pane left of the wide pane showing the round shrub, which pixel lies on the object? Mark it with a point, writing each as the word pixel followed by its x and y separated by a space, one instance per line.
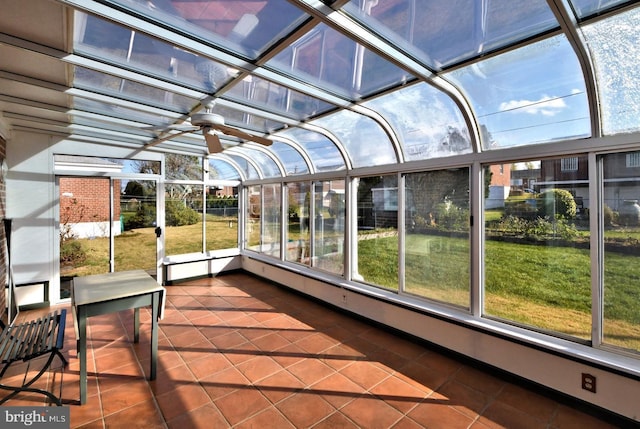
pixel 437 243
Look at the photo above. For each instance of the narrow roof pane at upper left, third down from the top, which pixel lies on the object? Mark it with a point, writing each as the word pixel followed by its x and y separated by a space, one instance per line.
pixel 106 84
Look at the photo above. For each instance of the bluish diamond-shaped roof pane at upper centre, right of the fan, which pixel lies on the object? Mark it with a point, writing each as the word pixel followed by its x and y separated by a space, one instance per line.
pixel 330 60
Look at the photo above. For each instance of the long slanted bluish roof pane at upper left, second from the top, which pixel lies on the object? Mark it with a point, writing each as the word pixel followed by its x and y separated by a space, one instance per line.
pixel 104 40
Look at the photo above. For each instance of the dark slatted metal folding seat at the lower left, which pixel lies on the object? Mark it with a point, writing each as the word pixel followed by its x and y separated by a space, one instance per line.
pixel 26 341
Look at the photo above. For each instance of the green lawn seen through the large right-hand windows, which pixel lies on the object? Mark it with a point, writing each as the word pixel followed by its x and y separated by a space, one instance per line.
pixel 545 287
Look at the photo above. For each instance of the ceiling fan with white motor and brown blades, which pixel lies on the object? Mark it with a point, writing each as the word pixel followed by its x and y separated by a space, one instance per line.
pixel 210 124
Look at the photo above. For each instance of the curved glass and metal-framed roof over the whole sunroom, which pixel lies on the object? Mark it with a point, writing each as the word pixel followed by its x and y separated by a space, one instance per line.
pixel 337 85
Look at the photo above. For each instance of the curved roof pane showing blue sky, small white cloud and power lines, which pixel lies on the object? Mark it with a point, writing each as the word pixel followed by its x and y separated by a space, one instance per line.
pixel 530 95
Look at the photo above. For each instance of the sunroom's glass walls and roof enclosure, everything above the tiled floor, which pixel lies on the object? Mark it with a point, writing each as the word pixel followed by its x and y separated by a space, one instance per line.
pixel 466 172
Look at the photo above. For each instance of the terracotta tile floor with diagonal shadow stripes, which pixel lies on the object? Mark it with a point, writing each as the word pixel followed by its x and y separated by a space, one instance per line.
pixel 236 351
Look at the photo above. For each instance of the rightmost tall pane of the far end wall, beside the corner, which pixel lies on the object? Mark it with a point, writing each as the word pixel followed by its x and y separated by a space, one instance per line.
pixel 221 216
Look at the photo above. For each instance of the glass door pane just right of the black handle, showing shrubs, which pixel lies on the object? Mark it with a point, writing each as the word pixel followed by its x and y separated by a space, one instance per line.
pixel 183 219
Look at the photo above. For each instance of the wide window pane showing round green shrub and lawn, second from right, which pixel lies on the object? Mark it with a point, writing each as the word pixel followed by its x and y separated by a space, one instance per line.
pixel 536 249
